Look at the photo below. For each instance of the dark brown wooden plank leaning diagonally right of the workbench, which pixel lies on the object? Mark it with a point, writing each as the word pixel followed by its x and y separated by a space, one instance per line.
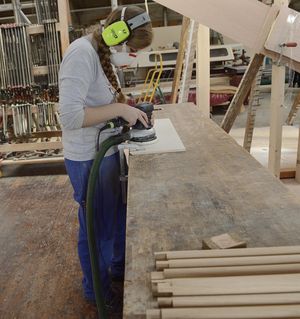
pixel 244 88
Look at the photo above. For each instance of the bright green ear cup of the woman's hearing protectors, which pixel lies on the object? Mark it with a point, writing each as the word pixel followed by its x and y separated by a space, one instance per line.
pixel 116 33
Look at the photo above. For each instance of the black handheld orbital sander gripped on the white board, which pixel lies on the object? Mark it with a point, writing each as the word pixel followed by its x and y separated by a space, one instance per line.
pixel 139 133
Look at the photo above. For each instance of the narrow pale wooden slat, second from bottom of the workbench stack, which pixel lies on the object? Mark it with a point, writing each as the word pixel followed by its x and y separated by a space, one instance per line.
pixel 229 300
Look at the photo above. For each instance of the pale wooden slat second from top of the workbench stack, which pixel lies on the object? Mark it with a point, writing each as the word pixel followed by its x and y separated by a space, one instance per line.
pixel 227 261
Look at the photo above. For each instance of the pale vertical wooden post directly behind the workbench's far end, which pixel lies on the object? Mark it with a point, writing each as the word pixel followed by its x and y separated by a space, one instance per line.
pixel 203 70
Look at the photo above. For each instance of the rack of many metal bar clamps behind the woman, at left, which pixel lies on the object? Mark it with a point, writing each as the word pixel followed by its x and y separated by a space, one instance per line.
pixel 29 60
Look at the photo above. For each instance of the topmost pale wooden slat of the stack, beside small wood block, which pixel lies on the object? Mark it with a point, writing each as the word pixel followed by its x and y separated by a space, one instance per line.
pixel 238 252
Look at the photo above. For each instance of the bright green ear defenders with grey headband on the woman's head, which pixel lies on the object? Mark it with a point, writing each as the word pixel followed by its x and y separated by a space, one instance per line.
pixel 118 32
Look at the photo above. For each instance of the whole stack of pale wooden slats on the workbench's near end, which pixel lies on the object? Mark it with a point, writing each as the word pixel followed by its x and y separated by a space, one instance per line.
pixel 237 283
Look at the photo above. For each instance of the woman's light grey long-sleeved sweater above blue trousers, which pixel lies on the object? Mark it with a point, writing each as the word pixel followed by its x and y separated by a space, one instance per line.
pixel 82 83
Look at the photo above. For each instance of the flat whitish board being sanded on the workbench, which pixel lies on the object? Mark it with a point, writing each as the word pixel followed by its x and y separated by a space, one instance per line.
pixel 167 140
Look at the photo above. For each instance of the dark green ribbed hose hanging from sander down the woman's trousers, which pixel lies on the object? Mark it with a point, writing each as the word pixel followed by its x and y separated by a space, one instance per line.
pixel 93 177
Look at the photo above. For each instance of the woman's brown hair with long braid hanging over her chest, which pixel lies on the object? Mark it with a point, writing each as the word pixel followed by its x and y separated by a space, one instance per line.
pixel 139 39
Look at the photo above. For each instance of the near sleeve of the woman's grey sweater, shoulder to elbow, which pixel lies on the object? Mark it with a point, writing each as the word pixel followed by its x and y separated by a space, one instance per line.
pixel 76 73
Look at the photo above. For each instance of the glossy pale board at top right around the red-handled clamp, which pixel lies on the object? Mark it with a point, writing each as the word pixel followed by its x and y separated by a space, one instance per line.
pixel 285 29
